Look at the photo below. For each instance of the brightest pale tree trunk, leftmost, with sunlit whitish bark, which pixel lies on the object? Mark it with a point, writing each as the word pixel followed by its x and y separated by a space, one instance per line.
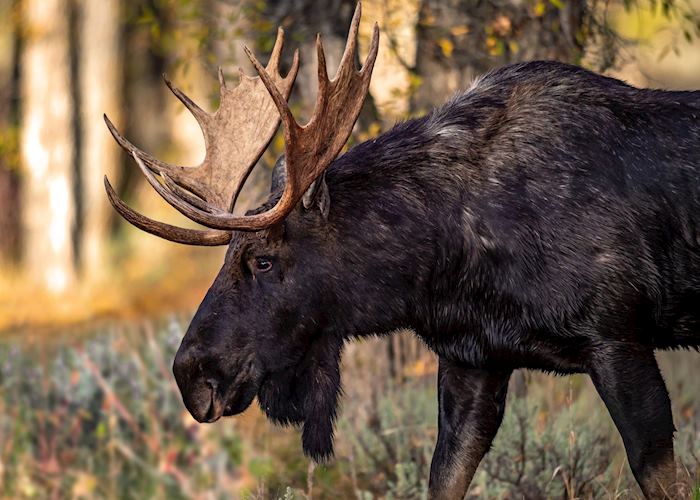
pixel 47 151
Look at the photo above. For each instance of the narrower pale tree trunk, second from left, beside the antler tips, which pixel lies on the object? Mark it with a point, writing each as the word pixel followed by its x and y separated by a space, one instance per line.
pixel 100 74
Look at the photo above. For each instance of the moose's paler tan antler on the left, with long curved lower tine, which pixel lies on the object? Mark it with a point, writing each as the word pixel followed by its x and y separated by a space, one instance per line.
pixel 235 137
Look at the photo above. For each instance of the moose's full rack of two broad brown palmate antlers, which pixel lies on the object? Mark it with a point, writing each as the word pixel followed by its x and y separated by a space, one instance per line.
pixel 237 134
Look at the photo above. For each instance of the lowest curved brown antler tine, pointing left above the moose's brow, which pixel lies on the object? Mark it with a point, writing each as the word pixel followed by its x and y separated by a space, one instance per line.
pixel 209 237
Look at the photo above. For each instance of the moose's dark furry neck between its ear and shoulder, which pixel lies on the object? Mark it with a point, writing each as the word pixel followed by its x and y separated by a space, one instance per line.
pixel 400 207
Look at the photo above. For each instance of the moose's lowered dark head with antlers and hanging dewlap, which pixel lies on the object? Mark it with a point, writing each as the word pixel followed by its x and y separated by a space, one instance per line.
pixel 262 330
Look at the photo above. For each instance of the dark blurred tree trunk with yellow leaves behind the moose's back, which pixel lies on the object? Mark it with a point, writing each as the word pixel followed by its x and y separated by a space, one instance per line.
pixel 459 40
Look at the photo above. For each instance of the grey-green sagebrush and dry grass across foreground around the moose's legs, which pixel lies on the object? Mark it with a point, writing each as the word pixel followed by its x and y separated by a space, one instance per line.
pixel 99 416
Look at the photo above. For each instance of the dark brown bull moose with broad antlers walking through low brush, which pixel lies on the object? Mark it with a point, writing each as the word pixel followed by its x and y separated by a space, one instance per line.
pixel 546 218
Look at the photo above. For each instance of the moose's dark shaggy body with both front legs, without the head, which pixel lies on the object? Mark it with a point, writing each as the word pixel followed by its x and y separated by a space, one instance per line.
pixel 560 220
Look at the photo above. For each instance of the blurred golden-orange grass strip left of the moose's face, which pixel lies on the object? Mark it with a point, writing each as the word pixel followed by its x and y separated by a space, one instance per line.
pixel 136 285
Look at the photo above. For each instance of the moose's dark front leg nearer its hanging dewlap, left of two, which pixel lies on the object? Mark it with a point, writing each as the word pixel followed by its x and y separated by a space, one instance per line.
pixel 471 405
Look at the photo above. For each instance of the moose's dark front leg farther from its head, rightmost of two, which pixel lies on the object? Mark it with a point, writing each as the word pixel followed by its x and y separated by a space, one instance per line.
pixel 630 383
